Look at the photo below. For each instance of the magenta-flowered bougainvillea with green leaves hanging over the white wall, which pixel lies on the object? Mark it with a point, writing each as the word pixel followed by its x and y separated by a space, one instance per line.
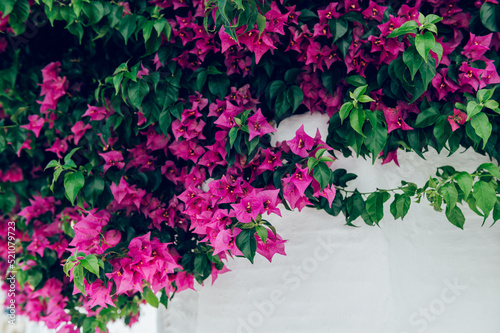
pixel 135 136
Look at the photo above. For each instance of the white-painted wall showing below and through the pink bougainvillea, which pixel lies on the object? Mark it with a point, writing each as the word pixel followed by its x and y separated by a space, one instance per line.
pixel 418 275
